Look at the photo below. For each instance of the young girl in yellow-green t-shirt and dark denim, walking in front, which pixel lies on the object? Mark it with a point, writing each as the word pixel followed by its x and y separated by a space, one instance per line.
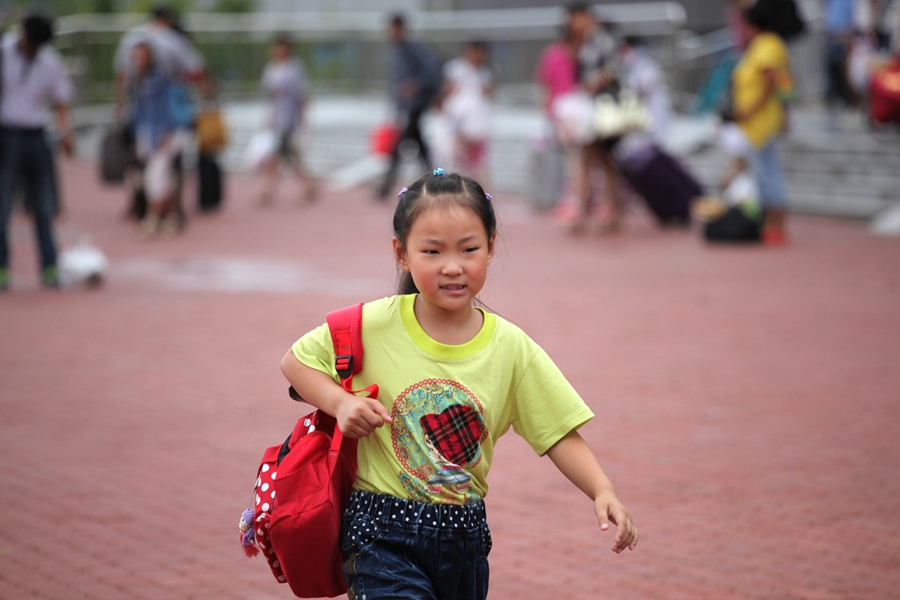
pixel 453 379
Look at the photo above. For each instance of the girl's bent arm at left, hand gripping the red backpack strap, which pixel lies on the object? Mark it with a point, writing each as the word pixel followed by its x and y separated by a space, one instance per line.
pixel 356 416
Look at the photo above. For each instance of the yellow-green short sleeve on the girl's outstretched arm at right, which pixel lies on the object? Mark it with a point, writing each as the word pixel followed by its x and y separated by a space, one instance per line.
pixel 547 407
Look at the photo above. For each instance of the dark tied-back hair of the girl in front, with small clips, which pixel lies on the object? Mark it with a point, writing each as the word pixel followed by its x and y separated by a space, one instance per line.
pixel 439 191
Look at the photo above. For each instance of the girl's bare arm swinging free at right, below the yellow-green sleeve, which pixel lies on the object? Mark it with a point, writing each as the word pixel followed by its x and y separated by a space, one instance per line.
pixel 575 459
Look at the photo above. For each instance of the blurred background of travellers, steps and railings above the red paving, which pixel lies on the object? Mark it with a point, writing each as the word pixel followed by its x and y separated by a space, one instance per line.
pixel 732 112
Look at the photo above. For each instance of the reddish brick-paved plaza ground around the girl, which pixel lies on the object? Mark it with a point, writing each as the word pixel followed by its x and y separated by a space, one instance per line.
pixel 748 403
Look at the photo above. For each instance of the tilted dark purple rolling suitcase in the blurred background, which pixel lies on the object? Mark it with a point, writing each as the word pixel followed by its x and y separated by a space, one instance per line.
pixel 659 179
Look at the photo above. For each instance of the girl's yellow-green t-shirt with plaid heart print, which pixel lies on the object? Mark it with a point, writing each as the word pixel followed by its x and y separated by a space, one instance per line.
pixel 449 404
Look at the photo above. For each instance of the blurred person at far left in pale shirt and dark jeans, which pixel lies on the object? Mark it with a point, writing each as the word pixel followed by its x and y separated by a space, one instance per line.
pixel 32 79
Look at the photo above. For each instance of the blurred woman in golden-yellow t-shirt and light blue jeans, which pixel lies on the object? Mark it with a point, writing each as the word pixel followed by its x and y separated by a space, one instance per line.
pixel 758 82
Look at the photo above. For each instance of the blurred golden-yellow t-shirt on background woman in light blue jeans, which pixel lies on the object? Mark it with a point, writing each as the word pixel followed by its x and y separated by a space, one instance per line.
pixel 766 51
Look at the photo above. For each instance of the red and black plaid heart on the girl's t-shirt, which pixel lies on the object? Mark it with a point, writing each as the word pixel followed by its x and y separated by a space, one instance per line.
pixel 455 432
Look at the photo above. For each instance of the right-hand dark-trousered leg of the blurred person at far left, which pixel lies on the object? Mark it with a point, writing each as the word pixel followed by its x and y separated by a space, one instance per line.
pixel 37 166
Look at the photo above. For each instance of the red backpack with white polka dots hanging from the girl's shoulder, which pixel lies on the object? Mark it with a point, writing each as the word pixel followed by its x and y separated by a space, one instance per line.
pixel 303 485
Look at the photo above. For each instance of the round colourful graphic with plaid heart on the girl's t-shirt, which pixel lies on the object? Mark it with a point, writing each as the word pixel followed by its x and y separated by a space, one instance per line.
pixel 437 433
